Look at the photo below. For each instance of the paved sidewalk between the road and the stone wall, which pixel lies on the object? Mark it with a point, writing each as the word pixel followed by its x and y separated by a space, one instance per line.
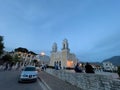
pixel 54 83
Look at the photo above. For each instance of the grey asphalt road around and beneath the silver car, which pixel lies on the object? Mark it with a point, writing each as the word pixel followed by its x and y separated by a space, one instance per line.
pixel 8 81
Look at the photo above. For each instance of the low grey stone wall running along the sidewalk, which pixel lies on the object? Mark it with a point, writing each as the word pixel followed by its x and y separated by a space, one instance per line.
pixel 87 81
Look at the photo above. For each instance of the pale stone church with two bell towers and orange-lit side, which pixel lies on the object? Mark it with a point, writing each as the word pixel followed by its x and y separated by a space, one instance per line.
pixel 63 58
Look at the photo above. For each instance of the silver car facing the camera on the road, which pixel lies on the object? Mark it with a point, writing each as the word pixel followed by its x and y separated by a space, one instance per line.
pixel 29 73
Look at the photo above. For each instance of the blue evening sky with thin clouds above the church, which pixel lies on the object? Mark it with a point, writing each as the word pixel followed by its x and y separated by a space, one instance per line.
pixel 92 27
